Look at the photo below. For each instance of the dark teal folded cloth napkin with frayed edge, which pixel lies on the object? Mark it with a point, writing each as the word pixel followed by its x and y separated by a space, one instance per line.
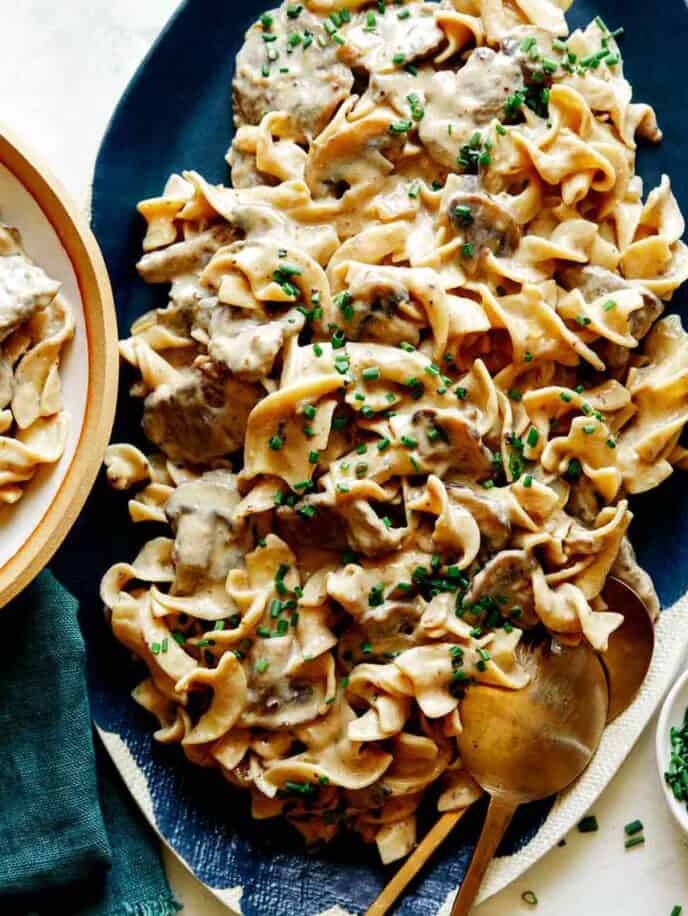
pixel 71 839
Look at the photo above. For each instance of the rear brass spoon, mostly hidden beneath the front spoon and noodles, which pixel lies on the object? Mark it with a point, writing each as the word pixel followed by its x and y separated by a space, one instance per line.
pixel 626 663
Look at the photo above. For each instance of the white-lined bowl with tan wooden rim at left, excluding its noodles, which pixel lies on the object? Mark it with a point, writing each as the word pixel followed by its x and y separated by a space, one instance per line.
pixel 57 236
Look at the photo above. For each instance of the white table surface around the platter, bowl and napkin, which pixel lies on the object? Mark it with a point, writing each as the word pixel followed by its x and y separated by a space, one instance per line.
pixel 62 68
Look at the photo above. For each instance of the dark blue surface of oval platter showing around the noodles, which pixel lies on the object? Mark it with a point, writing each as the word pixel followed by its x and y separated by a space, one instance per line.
pixel 175 115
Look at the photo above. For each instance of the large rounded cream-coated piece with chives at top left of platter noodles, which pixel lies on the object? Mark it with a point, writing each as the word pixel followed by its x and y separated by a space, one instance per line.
pixel 314 86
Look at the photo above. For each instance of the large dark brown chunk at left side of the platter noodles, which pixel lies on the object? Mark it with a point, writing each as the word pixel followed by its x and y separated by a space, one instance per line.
pixel 201 418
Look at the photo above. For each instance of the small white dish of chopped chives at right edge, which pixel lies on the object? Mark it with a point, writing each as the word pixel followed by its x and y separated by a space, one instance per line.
pixel 672 750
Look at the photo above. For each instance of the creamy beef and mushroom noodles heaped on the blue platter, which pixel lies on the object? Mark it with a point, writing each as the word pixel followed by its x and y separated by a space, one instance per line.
pixel 412 368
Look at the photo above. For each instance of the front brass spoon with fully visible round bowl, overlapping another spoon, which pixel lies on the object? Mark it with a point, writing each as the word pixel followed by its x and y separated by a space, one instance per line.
pixel 526 745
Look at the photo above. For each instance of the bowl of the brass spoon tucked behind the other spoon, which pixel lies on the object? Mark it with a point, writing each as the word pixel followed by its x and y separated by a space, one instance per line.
pixel 628 658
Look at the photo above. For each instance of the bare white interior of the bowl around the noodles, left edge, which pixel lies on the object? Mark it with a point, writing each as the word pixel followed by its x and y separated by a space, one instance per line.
pixel 18 208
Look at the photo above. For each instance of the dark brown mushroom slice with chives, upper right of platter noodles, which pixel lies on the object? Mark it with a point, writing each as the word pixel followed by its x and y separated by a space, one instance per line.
pixel 483 222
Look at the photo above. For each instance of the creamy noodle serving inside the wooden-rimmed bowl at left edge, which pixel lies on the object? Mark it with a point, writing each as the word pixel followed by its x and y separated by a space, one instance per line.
pixel 35 324
